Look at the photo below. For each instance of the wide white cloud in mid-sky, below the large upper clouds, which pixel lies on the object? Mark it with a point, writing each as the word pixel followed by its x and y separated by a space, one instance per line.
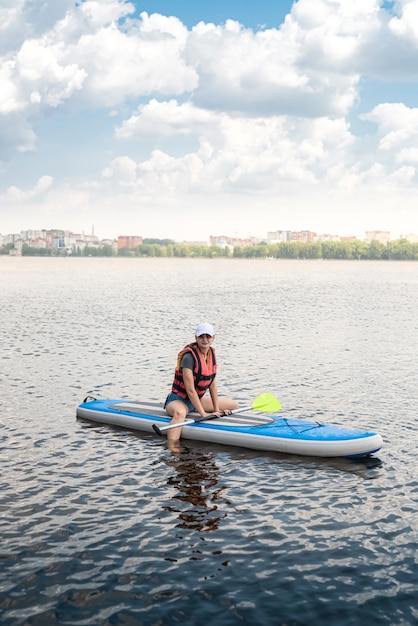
pixel 238 152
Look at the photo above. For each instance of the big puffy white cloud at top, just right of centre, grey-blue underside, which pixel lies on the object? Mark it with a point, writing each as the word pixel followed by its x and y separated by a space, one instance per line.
pixel 265 72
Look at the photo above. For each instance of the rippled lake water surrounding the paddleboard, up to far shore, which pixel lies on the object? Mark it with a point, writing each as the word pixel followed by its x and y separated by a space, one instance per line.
pixel 105 526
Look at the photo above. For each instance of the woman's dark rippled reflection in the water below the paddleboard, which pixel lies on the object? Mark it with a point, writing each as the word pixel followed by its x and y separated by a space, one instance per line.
pixel 195 479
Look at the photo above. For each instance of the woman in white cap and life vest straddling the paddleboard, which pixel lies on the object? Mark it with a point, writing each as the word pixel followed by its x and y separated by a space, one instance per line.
pixel 195 374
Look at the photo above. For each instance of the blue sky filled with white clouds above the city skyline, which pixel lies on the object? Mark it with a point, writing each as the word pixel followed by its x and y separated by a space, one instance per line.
pixel 184 119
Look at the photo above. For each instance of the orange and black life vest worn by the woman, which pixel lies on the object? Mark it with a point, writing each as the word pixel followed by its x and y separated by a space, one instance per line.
pixel 204 371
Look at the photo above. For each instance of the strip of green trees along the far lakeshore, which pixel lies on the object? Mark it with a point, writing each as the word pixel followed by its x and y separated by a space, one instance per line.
pixel 399 250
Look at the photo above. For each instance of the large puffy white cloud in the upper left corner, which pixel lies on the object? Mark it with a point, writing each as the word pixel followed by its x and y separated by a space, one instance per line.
pixel 86 56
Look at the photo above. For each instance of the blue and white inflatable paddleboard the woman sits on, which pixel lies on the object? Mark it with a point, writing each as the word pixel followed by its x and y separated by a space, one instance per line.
pixel 248 429
